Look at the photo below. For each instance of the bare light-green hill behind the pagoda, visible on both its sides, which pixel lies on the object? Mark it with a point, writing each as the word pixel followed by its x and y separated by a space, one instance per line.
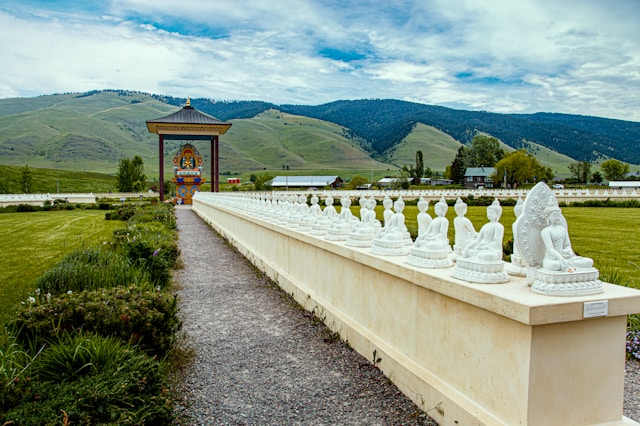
pixel 92 131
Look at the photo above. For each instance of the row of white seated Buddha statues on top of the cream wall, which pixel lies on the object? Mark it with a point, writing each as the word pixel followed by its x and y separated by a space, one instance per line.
pixel 541 251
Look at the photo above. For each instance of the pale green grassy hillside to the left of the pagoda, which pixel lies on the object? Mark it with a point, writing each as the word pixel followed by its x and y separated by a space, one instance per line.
pixel 87 133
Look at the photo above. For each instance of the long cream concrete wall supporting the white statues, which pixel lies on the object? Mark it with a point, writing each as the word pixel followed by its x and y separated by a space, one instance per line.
pixel 466 353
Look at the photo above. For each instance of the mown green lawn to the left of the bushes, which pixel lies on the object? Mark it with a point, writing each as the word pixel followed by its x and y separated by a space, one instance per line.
pixel 34 242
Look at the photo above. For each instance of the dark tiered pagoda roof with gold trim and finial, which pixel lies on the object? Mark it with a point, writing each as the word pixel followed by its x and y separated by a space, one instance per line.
pixel 188 123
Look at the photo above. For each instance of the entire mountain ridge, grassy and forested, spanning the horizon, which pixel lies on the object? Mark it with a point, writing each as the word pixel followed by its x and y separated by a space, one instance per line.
pixel 94 129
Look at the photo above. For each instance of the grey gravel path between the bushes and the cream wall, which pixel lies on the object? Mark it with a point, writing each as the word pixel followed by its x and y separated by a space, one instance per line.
pixel 260 359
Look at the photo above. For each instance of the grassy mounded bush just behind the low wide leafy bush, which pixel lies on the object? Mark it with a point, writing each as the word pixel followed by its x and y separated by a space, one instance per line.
pixel 91 269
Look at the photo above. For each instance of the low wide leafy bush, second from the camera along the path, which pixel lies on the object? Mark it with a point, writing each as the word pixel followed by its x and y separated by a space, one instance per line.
pixel 146 318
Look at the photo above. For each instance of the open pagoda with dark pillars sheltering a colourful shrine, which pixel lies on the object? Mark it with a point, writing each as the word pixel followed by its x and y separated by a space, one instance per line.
pixel 189 124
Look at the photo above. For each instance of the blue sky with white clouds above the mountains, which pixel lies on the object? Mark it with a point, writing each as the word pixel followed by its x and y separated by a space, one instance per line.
pixel 570 56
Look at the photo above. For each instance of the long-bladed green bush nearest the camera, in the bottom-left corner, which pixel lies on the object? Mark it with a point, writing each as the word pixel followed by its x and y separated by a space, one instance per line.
pixel 109 384
